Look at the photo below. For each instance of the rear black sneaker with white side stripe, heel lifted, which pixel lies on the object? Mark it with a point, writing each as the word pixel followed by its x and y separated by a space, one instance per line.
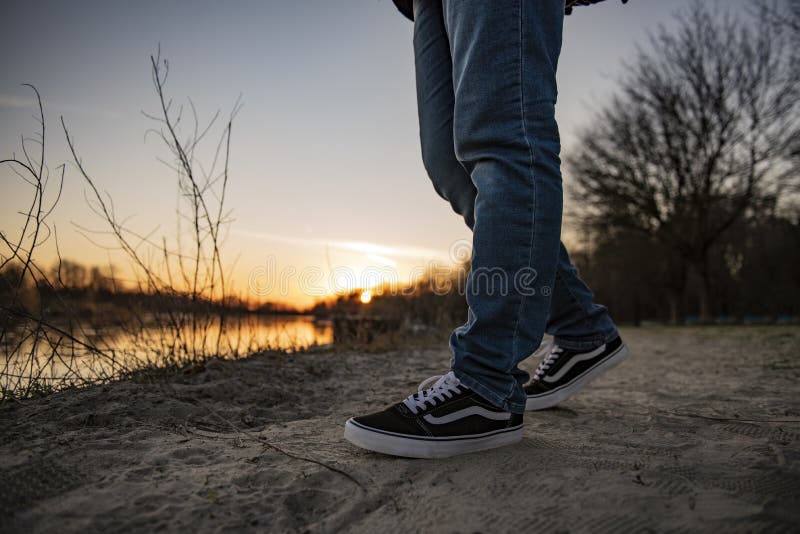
pixel 563 372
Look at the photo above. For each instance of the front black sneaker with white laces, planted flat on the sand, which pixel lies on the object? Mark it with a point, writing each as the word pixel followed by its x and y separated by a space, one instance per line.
pixel 443 418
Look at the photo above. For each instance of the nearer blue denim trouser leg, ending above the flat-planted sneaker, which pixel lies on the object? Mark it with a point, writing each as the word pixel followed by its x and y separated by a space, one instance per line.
pixel 504 68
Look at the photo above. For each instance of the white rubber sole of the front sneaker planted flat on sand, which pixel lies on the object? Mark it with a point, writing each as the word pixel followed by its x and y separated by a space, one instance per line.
pixel 422 447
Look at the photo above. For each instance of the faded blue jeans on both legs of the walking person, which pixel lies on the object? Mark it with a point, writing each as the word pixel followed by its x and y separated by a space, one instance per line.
pixel 486 90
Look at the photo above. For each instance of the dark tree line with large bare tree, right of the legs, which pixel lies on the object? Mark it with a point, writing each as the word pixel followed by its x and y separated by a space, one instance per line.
pixel 687 182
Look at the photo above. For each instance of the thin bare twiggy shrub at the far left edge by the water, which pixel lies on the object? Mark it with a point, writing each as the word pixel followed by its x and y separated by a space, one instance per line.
pixel 39 354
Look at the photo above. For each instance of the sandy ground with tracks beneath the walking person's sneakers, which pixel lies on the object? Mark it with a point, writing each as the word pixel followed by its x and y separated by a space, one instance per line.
pixel 698 431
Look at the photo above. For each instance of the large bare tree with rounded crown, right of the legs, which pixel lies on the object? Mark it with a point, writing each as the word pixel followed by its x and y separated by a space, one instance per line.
pixel 698 137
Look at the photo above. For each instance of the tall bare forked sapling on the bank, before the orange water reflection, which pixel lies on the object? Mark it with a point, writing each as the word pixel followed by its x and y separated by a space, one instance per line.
pixel 187 276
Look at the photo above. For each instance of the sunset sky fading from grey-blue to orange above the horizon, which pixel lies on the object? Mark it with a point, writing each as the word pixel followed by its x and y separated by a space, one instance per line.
pixel 326 181
